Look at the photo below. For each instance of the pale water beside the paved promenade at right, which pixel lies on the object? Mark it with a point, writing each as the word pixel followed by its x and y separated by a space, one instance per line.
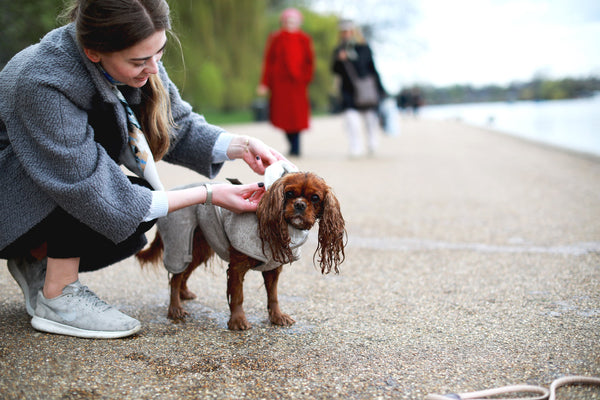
pixel 570 124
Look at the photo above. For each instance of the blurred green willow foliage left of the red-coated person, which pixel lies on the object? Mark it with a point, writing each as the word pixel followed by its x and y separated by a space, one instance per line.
pixel 219 42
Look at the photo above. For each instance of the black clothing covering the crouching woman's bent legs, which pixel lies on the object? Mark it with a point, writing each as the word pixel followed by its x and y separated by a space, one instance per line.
pixel 63 236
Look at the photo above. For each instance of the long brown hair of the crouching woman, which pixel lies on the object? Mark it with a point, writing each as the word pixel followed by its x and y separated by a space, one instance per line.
pixel 114 25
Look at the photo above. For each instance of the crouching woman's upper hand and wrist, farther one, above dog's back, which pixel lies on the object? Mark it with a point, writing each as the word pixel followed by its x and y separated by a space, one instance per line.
pixel 254 152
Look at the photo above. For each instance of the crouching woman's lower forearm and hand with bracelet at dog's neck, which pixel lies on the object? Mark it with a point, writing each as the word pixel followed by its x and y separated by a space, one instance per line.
pixel 237 198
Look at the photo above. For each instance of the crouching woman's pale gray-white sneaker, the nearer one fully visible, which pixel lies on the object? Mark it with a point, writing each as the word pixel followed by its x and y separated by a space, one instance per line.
pixel 79 312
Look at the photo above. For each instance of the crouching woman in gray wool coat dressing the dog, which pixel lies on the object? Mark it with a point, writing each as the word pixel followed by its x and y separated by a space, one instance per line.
pixel 66 126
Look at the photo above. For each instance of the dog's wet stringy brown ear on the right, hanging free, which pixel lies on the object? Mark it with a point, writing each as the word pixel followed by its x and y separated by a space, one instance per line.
pixel 332 235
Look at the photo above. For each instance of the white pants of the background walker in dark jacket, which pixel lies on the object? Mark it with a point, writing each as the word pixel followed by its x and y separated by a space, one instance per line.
pixel 354 125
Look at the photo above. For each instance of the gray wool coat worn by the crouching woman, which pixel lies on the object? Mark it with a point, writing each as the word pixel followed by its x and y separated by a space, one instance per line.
pixel 62 131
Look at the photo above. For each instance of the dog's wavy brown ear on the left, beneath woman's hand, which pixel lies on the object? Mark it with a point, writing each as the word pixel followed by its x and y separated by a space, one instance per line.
pixel 272 228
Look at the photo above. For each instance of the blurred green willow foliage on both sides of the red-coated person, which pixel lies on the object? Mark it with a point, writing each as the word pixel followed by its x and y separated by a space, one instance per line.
pixel 223 44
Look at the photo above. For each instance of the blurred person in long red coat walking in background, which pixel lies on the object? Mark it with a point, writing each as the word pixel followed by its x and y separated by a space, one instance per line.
pixel 287 71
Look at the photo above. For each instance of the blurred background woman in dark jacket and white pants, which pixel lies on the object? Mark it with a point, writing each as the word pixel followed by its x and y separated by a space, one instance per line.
pixel 353 56
